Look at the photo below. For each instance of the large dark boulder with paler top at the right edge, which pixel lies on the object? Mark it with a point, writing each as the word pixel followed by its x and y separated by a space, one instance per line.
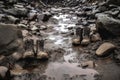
pixel 107 26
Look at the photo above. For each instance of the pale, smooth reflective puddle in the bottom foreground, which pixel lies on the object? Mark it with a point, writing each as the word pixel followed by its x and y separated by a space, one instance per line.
pixel 67 71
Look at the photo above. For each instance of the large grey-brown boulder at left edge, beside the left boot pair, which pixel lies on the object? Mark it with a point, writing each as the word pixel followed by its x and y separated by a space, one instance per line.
pixel 10 38
